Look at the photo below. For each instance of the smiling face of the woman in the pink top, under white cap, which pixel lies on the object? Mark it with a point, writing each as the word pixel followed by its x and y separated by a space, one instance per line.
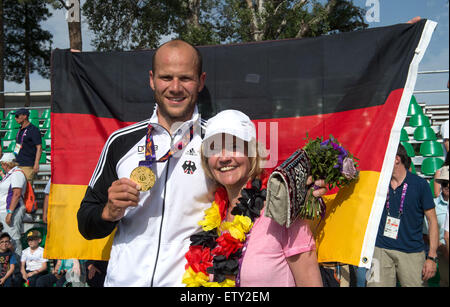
pixel 228 161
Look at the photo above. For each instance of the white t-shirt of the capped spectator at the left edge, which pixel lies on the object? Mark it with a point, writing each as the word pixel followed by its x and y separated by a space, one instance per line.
pixel 13 179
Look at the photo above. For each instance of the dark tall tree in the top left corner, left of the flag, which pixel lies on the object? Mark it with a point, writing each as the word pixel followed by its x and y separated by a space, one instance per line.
pixel 27 47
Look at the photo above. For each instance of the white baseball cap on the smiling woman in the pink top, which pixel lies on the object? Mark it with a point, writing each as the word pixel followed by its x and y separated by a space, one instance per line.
pixel 231 122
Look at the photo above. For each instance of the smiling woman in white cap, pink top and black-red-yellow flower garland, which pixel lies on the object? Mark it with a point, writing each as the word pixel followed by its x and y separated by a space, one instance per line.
pixel 239 245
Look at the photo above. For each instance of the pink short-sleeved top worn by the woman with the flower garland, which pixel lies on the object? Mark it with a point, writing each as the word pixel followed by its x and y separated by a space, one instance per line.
pixel 264 263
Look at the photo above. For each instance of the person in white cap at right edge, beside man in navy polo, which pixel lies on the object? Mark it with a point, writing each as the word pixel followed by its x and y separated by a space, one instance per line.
pixel 441 203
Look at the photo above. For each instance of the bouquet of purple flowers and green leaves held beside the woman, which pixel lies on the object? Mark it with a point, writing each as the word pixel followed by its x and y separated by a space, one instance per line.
pixel 332 163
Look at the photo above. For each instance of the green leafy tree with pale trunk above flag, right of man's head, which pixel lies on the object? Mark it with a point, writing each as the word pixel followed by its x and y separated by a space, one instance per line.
pixel 250 20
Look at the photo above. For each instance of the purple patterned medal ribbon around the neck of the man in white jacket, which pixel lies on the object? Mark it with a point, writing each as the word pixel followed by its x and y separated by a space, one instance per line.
pixel 150 155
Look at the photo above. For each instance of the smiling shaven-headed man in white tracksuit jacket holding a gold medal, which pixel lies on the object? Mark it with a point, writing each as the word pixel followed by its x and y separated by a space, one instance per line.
pixel 153 227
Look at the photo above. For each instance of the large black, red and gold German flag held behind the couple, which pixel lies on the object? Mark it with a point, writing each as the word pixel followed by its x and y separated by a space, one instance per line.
pixel 355 86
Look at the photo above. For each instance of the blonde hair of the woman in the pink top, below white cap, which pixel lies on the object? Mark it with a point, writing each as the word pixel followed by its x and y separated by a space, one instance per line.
pixel 256 160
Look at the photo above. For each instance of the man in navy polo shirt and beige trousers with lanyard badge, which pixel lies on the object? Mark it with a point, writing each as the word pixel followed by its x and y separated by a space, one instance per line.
pixel 399 248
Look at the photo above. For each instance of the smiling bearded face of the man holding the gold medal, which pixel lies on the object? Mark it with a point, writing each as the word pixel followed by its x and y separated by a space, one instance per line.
pixel 176 83
